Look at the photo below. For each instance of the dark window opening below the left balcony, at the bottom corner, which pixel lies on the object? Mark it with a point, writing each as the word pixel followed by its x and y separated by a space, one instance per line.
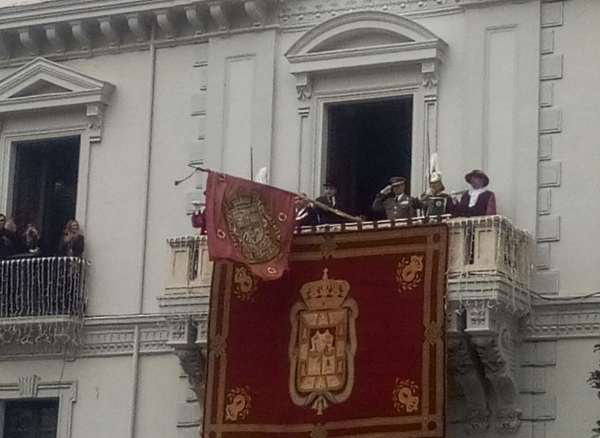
pixel 31 418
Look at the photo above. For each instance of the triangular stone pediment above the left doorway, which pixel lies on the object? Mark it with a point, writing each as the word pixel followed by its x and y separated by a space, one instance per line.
pixel 46 84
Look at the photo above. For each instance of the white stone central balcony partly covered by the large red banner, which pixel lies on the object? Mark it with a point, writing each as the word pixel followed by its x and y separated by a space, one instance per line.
pixel 489 271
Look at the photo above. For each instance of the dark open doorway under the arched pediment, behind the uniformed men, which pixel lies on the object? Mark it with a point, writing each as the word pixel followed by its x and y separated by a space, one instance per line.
pixel 368 143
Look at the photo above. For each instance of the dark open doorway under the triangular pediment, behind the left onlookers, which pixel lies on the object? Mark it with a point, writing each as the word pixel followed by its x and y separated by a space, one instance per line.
pixel 45 187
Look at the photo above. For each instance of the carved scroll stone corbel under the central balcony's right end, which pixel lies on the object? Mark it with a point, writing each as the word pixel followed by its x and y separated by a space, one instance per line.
pixel 494 336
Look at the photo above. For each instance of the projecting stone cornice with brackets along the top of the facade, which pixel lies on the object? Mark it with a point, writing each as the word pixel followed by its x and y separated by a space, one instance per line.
pixel 66 29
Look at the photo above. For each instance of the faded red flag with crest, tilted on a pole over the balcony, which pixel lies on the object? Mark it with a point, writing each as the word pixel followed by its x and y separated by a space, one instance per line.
pixel 250 223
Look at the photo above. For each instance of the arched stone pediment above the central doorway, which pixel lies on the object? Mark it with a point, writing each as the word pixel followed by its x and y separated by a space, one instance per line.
pixel 362 39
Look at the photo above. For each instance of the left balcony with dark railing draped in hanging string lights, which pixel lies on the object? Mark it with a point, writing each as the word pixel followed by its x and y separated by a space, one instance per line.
pixel 42 299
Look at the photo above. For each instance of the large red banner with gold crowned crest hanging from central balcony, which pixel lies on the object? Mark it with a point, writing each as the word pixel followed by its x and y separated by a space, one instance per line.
pixel 348 343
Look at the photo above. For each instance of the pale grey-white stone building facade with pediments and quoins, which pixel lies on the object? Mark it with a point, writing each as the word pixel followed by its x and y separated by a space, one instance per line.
pixel 141 89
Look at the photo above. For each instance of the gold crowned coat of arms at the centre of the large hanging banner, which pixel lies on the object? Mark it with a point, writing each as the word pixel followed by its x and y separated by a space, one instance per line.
pixel 323 344
